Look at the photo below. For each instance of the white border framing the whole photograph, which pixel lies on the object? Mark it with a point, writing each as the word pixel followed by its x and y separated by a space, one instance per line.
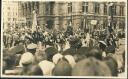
pixel 5 76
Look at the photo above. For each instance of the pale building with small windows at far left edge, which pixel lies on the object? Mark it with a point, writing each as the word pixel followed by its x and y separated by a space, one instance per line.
pixel 10 12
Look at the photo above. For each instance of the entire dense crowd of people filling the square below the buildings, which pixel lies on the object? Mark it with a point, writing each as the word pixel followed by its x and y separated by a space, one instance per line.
pixel 61 53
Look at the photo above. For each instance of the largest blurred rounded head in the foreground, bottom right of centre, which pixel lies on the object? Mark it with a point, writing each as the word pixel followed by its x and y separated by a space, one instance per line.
pixel 91 67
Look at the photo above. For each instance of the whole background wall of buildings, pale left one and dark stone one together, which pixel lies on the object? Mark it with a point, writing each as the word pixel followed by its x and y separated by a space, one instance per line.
pixel 59 13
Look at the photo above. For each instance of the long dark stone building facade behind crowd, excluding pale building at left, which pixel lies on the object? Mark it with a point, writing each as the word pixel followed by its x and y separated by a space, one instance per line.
pixel 58 15
